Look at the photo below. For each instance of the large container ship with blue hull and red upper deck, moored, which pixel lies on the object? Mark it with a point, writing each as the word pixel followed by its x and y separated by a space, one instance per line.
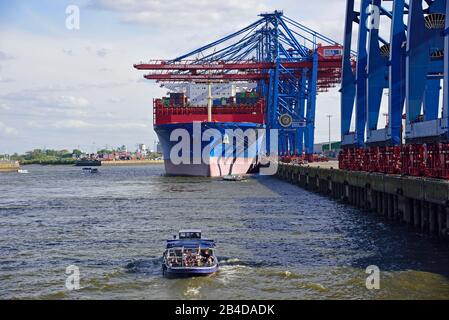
pixel 195 111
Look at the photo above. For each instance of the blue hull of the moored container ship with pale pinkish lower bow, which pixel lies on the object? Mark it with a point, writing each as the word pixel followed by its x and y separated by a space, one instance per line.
pixel 203 158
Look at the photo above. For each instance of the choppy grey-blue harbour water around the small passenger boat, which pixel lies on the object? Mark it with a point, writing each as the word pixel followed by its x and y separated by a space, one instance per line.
pixel 276 241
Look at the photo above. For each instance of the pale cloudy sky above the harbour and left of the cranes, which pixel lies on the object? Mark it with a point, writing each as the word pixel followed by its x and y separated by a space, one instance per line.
pixel 63 88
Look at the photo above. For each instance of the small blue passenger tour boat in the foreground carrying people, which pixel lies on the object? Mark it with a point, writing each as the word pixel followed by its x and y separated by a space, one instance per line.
pixel 189 256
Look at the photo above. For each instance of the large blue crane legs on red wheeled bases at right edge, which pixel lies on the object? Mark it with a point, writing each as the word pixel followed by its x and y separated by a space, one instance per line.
pixel 402 53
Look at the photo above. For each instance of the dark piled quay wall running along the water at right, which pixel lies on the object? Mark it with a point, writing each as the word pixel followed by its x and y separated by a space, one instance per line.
pixel 420 203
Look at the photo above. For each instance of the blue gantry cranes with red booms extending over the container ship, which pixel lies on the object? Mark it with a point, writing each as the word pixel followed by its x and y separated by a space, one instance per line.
pixel 289 63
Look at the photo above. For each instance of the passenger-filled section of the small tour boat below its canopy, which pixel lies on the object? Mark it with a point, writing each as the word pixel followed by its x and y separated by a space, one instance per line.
pixel 190 258
